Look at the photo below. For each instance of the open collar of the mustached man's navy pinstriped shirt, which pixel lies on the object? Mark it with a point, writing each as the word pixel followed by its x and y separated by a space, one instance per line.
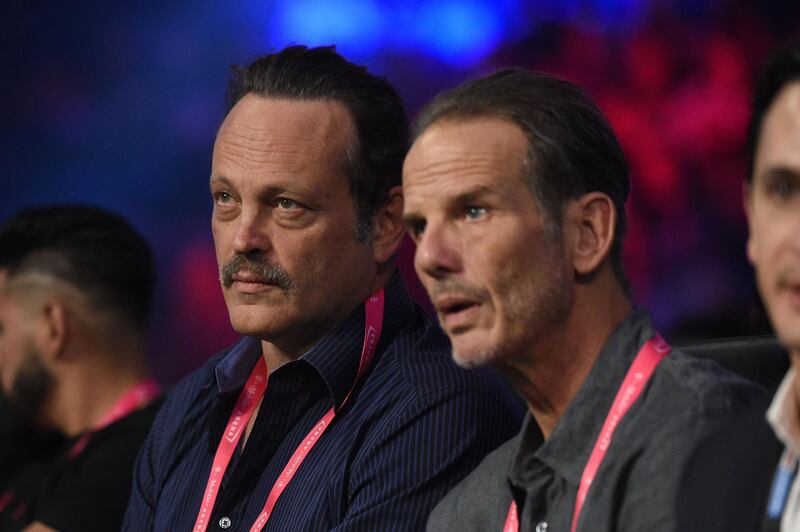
pixel 336 357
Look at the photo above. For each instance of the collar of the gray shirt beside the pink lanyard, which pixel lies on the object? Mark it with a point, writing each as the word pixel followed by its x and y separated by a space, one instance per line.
pixel 568 448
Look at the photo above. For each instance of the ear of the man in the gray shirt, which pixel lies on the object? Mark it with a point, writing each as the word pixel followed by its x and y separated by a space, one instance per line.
pixel 595 219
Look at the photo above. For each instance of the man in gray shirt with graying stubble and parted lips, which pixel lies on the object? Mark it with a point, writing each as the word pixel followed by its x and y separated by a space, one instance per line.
pixel 515 189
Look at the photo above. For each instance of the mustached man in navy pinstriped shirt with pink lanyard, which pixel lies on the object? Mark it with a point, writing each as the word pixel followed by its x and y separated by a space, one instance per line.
pixel 341 408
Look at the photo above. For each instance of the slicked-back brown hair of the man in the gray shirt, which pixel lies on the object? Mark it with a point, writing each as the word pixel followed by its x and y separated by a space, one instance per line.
pixel 572 148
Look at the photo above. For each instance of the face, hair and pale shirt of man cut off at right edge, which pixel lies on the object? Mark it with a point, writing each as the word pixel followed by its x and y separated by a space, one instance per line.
pixel 772 205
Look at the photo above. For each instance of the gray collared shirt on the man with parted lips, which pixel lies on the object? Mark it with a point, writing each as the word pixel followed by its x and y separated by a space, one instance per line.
pixel 687 456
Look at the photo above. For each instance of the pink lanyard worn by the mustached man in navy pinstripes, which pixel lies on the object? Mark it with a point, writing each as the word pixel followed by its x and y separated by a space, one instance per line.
pixel 253 391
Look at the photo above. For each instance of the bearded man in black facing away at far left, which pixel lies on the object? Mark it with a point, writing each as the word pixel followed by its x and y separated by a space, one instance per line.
pixel 75 290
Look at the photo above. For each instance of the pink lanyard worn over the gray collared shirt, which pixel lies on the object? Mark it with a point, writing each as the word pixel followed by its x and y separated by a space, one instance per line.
pixel 651 353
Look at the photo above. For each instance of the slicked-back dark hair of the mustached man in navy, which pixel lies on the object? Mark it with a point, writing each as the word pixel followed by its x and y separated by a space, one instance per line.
pixel 375 159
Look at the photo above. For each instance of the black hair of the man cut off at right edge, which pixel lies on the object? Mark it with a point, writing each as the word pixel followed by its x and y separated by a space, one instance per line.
pixel 780 68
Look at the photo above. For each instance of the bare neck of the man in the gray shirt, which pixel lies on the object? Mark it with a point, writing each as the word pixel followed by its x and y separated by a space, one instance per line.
pixel 552 371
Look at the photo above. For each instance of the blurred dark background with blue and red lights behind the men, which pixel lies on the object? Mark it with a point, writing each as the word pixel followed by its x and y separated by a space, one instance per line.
pixel 117 104
